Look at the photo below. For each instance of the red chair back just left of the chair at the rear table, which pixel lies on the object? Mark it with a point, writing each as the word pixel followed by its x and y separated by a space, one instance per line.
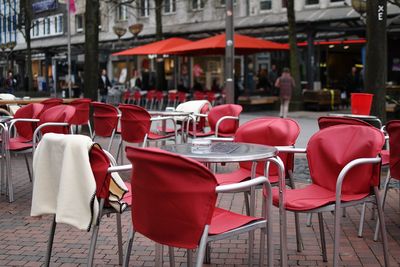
pixel 105 119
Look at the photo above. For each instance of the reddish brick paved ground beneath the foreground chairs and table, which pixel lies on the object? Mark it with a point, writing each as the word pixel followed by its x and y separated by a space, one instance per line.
pixel 23 239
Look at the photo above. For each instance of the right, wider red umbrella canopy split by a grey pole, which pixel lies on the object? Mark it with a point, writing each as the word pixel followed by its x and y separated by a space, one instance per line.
pixel 216 45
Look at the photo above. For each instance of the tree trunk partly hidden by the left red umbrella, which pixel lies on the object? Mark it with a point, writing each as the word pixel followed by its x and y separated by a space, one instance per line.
pixel 160 75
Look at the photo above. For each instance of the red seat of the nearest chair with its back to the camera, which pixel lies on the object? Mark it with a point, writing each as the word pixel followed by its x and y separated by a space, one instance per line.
pixel 223 221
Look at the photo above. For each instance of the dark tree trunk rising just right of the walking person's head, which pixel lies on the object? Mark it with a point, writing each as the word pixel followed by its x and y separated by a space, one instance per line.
pixel 294 55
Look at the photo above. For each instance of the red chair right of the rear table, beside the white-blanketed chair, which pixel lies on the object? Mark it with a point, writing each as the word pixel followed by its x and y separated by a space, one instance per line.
pixel 223 121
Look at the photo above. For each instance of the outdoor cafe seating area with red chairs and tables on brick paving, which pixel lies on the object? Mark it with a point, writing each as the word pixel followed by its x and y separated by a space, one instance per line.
pixel 208 189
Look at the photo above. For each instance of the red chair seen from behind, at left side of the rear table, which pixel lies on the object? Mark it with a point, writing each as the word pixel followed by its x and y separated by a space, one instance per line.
pixel 136 124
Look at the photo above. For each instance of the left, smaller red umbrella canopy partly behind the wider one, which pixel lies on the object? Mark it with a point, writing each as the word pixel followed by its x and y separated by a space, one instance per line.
pixel 153 48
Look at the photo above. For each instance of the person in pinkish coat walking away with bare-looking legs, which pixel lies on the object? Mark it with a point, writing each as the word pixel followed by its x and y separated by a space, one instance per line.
pixel 285 83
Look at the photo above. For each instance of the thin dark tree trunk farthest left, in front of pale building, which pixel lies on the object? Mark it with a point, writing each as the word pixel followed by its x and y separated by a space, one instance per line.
pixel 28 20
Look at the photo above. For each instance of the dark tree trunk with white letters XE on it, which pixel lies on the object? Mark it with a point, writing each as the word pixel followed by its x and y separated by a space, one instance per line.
pixel 376 58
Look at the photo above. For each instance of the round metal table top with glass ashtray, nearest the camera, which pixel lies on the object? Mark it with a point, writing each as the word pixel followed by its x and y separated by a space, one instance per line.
pixel 243 152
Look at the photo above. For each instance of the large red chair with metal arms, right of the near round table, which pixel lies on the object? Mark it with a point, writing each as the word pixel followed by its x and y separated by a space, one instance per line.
pixel 344 167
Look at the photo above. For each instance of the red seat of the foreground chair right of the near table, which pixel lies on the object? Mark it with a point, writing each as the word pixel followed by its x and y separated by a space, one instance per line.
pixel 311 197
